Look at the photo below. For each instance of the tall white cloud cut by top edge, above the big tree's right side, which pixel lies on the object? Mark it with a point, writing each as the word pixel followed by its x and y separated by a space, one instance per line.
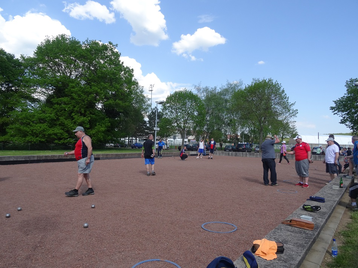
pixel 147 21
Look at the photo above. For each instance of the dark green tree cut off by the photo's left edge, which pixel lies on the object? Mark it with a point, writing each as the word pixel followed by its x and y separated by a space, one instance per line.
pixel 13 93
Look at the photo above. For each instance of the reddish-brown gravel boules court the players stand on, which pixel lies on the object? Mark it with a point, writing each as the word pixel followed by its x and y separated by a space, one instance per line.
pixel 138 218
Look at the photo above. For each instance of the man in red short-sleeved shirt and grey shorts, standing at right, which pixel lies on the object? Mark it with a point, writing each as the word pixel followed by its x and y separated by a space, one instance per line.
pixel 302 152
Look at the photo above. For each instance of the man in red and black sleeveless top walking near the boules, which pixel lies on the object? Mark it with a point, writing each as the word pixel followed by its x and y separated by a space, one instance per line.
pixel 85 160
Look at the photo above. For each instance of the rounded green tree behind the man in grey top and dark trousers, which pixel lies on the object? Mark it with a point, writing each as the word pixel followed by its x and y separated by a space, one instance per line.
pixel 263 107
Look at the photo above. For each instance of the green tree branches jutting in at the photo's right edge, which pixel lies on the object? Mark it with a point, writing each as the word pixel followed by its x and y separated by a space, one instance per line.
pixel 346 107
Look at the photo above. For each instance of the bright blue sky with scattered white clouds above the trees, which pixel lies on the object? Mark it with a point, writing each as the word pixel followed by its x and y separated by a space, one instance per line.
pixel 310 47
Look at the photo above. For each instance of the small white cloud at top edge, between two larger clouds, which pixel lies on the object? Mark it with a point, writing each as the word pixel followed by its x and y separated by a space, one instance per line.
pixel 90 11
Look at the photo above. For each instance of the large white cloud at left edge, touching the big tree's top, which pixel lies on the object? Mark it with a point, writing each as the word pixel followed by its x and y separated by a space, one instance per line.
pixel 21 35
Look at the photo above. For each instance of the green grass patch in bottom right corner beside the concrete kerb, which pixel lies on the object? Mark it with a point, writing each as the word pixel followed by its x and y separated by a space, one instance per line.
pixel 347 253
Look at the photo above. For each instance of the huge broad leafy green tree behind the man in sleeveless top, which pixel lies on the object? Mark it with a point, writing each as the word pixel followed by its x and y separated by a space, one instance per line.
pixel 77 84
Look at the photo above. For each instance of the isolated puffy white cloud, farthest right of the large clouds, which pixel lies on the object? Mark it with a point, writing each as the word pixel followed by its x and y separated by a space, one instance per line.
pixel 202 39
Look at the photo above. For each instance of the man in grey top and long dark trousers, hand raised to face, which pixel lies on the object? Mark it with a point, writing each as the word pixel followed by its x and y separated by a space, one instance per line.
pixel 268 160
